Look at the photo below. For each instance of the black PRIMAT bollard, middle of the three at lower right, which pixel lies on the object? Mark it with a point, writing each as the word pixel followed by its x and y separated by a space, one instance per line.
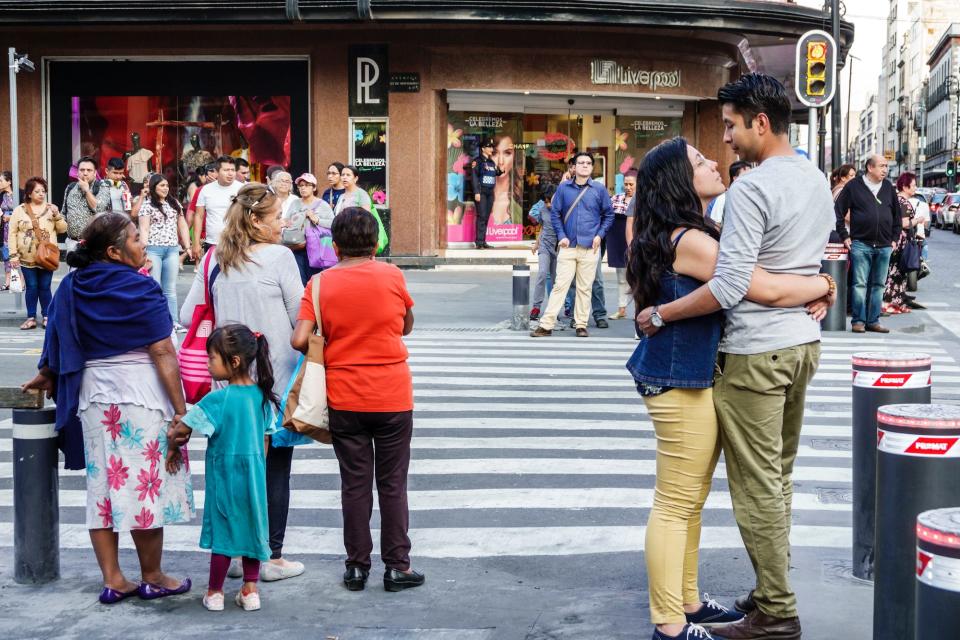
pixel 918 469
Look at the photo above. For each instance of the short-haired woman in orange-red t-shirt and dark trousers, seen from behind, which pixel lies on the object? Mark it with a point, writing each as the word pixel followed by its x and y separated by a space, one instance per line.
pixel 369 392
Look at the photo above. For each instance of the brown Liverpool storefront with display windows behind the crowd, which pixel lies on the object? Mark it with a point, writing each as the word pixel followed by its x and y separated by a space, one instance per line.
pixel 407 103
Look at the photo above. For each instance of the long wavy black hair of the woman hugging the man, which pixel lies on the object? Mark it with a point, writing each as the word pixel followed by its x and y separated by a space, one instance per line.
pixel 665 201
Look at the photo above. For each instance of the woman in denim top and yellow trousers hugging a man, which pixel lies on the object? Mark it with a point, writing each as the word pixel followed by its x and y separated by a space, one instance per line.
pixel 673 252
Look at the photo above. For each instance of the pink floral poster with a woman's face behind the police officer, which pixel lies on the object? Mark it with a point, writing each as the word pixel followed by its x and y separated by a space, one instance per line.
pixel 465 132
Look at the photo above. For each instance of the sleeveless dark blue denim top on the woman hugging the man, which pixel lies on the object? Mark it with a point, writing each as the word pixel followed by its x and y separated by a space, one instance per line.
pixel 681 354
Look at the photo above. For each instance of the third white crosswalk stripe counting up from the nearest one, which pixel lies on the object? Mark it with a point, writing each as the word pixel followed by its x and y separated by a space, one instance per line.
pixel 516 467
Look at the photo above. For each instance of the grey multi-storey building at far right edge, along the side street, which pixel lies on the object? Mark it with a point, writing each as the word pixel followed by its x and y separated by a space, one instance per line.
pixel 943 100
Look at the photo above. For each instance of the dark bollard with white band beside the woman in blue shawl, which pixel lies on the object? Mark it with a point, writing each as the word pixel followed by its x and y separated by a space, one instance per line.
pixel 36 507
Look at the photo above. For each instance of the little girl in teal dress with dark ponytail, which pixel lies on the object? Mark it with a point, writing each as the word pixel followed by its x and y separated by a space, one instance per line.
pixel 236 419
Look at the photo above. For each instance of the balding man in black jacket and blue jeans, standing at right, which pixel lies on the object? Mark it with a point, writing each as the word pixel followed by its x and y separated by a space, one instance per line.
pixel 874 229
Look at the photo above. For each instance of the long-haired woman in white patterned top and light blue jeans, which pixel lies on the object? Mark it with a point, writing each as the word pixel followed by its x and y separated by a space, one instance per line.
pixel 164 229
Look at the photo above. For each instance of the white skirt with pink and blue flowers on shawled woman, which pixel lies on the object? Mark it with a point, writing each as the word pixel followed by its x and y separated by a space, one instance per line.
pixel 128 486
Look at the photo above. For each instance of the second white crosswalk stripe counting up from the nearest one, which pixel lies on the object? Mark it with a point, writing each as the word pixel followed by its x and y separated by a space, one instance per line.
pixel 475 499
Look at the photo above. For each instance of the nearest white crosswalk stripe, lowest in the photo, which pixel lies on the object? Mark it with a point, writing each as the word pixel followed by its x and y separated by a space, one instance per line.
pixel 474 542
